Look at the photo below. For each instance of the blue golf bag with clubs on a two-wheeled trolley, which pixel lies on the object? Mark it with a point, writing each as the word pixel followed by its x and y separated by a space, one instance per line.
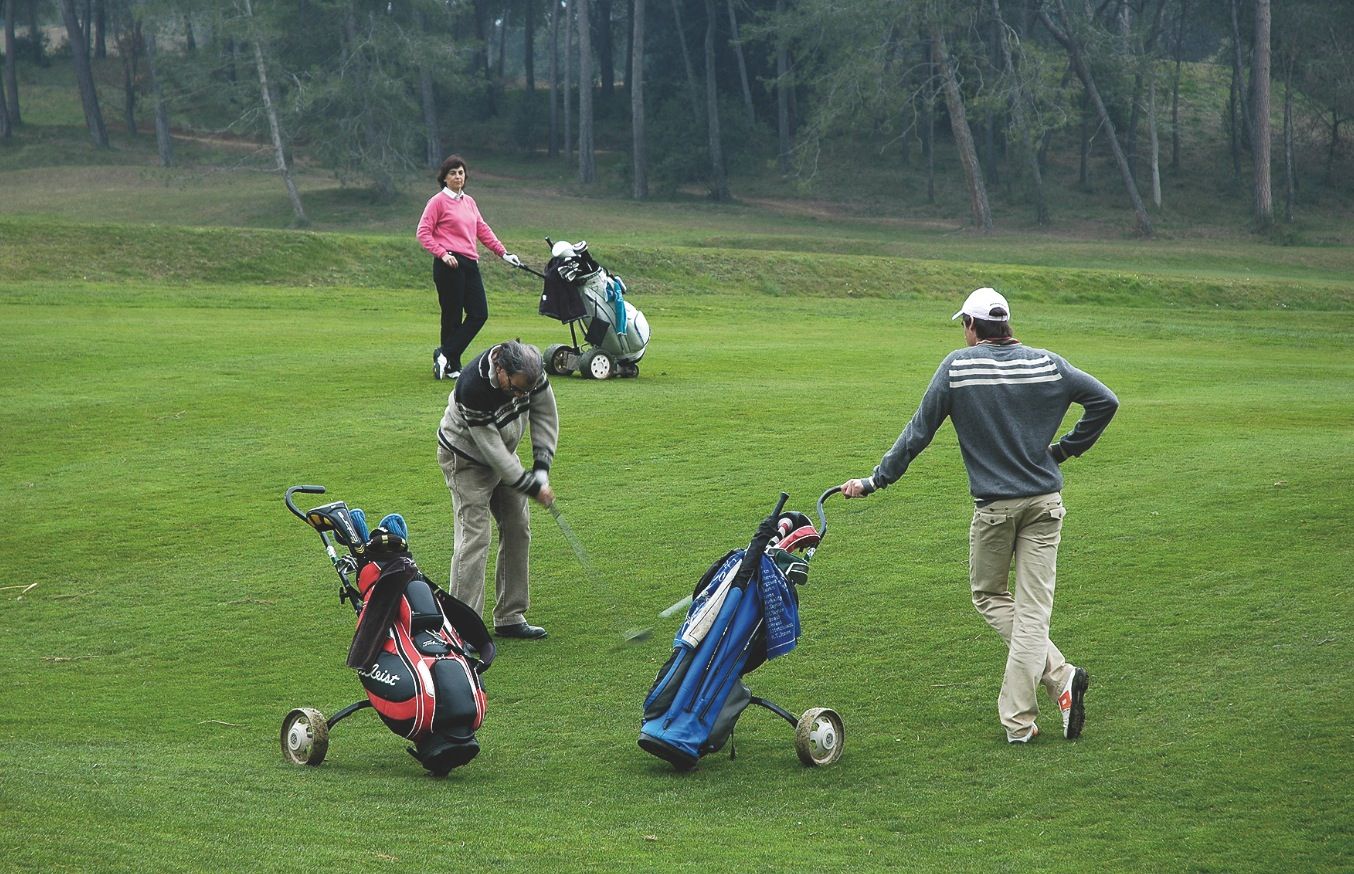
pixel 744 612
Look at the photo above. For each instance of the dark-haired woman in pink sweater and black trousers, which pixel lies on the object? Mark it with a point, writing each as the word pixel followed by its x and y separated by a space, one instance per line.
pixel 449 230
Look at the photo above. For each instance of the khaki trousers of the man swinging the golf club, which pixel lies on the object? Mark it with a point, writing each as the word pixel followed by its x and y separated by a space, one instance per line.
pixel 477 495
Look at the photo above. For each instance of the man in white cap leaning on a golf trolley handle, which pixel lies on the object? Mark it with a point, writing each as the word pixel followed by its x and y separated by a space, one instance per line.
pixel 1008 402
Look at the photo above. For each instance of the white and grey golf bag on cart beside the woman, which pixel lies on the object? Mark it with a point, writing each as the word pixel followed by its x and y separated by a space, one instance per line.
pixel 584 295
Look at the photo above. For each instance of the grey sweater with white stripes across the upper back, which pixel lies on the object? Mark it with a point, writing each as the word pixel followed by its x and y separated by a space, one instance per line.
pixel 1007 403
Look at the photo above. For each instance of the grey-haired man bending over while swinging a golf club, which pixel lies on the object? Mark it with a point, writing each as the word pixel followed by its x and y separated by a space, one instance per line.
pixel 496 396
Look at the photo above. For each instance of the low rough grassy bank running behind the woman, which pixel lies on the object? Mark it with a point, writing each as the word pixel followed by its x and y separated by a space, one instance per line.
pixel 129 257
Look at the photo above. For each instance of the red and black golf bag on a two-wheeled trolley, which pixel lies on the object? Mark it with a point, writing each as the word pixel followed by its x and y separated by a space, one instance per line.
pixel 418 651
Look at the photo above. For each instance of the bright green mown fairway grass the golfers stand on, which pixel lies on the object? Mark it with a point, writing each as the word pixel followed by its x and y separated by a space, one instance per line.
pixel 162 610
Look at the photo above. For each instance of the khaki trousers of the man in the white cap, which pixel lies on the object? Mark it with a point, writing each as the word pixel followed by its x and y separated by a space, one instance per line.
pixel 1026 532
